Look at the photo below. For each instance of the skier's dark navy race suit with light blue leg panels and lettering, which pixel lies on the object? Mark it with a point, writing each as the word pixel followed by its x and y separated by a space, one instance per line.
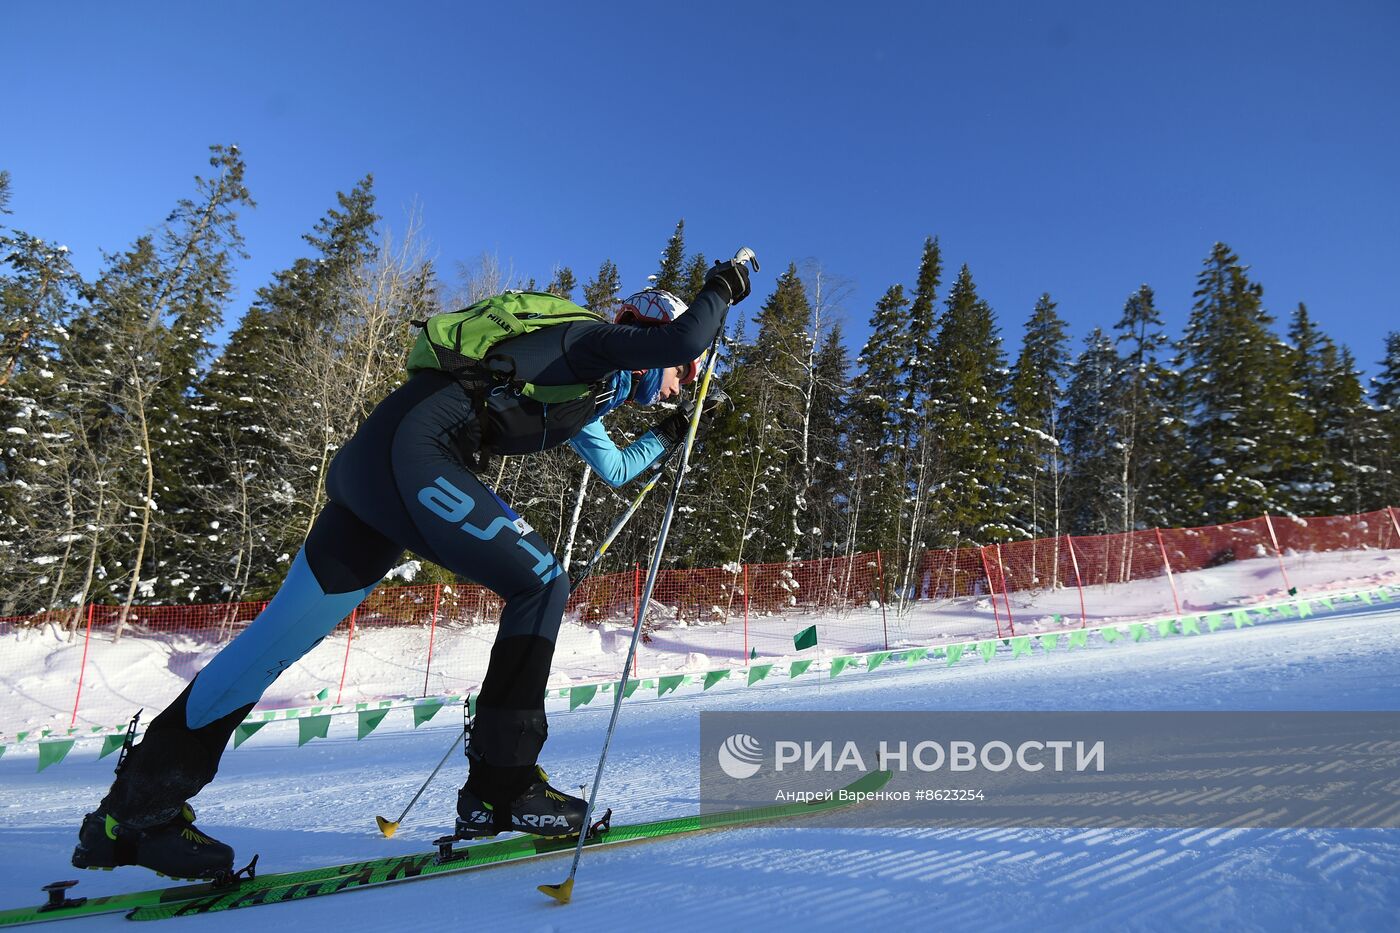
pixel 402 483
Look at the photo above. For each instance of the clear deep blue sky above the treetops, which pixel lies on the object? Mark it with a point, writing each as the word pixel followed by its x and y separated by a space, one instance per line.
pixel 1079 149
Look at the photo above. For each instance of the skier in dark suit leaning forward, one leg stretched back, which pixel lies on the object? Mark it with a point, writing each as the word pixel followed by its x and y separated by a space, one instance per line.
pixel 409 480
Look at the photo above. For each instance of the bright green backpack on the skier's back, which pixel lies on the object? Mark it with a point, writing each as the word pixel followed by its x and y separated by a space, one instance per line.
pixel 461 343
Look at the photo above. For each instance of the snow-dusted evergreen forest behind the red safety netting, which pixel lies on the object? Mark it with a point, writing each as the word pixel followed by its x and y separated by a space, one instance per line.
pixel 143 464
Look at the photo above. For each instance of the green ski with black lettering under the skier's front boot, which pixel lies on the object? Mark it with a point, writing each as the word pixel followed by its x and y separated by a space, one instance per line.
pixel 380 872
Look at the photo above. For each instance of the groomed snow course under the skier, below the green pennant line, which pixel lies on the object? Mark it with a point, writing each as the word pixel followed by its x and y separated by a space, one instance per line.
pixel 303 808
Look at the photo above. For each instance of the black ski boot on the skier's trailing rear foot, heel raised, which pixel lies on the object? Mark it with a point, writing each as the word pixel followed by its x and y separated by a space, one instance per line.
pixel 174 850
